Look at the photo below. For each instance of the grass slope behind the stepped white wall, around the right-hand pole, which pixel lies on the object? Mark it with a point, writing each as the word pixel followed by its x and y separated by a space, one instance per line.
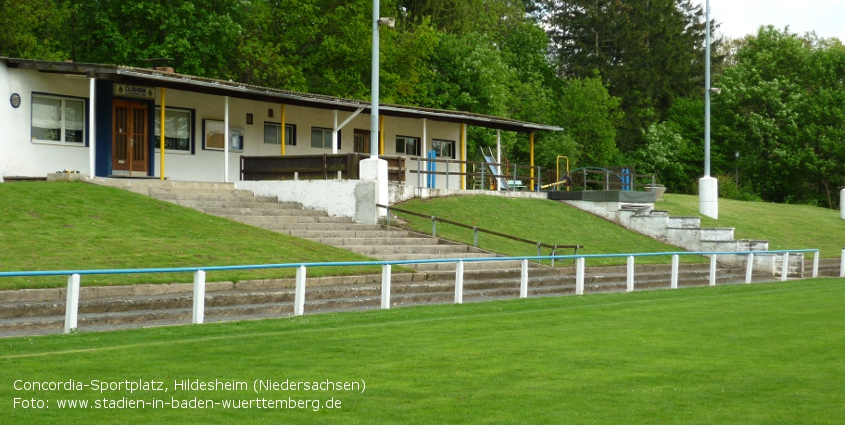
pixel 784 226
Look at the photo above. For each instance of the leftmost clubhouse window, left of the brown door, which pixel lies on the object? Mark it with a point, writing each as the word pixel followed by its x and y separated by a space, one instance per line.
pixel 58 119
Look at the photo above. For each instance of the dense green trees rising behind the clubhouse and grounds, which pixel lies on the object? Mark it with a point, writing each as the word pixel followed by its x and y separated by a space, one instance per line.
pixel 624 78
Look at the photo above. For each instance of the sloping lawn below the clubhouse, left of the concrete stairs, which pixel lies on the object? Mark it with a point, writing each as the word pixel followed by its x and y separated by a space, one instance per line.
pixel 60 226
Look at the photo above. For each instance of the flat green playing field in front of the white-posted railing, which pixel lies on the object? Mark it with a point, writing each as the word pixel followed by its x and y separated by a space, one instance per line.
pixel 735 354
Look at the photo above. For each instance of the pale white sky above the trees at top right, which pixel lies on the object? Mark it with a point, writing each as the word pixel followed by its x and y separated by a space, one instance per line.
pixel 741 17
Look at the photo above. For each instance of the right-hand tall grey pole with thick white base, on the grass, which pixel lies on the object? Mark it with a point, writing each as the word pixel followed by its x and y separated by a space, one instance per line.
pixel 708 187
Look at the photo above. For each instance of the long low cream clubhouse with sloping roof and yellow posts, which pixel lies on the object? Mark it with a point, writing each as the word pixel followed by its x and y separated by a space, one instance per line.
pixel 104 120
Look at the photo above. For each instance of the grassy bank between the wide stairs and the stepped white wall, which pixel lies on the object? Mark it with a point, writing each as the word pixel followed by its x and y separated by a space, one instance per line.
pixel 533 219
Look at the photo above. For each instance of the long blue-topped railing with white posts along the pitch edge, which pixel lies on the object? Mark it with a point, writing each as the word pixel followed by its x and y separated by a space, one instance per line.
pixel 74 276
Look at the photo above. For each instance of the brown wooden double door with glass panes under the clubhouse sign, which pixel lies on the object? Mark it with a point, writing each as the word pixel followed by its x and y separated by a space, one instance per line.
pixel 130 141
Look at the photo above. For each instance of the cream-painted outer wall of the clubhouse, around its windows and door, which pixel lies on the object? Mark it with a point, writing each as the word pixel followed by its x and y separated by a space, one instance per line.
pixel 23 157
